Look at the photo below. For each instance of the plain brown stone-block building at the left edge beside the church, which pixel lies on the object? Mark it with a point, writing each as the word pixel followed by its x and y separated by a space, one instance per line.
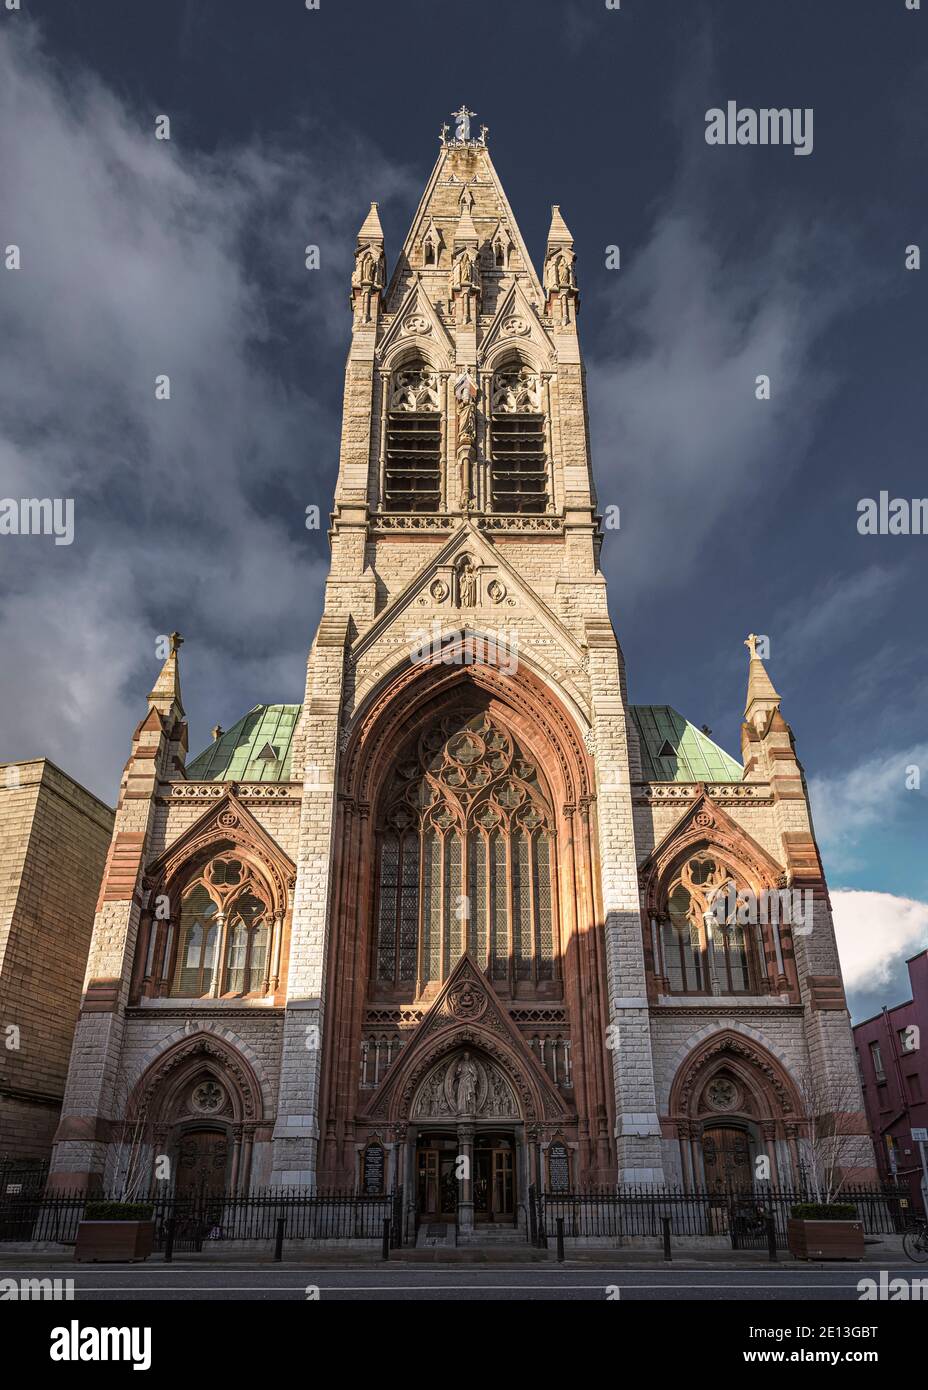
pixel 53 844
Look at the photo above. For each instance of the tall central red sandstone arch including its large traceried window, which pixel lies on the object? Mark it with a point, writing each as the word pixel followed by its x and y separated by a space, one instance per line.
pixel 459 789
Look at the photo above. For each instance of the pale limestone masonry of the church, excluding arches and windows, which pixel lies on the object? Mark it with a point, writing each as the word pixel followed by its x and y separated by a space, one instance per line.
pixel 541 596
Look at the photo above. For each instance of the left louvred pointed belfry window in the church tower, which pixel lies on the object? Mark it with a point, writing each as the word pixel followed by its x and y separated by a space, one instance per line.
pixel 413 462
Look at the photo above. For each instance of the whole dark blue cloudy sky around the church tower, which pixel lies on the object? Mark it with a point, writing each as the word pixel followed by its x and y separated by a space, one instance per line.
pixel 737 516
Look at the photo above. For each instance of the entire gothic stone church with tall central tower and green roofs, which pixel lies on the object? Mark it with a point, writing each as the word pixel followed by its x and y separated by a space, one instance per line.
pixel 463 903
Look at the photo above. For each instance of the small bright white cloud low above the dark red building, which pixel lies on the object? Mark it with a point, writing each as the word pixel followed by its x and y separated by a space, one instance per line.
pixel 876 932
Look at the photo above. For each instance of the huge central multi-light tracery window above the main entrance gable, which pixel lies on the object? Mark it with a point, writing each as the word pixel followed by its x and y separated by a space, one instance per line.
pixel 466 862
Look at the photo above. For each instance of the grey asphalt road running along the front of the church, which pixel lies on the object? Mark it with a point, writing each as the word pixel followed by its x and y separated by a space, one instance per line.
pixel 438 1284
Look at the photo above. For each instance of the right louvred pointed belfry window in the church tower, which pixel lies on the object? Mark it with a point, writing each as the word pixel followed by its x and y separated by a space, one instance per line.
pixel 519 464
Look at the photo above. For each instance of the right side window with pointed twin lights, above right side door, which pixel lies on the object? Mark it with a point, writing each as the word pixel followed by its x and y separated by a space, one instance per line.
pixel 705 949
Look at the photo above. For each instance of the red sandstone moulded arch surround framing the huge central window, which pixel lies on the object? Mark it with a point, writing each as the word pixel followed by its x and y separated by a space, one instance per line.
pixel 406 704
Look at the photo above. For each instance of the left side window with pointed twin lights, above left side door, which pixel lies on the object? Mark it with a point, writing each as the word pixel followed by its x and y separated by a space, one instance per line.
pixel 224 933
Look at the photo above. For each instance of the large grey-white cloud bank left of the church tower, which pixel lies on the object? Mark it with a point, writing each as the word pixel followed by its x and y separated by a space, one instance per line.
pixel 144 258
